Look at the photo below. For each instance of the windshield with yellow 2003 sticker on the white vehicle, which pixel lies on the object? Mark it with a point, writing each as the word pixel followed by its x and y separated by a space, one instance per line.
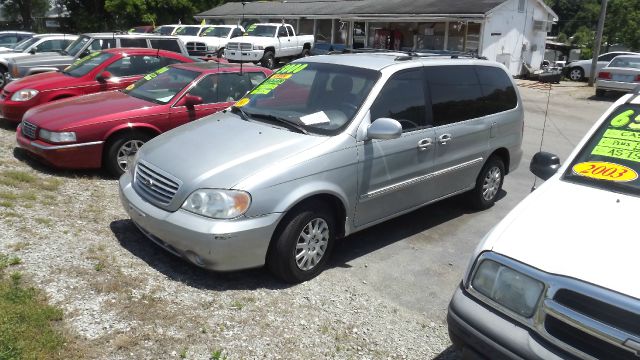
pixel 610 160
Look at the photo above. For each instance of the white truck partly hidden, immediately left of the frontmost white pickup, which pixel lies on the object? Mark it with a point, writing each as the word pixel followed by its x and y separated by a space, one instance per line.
pixel 212 40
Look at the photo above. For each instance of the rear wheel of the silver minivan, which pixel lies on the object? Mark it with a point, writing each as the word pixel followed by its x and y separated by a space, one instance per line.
pixel 488 184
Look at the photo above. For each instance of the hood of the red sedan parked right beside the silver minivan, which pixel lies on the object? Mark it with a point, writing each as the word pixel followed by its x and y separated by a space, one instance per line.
pixel 84 110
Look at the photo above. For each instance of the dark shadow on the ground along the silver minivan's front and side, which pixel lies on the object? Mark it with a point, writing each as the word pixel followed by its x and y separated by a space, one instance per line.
pixel 352 247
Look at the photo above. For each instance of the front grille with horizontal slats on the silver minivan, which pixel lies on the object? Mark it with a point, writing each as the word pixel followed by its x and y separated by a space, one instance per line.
pixel 154 186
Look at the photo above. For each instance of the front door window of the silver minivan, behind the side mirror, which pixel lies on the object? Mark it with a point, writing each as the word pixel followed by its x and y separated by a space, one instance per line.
pixel 402 98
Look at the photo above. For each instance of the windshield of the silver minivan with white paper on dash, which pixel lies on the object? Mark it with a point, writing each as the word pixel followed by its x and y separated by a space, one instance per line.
pixel 318 98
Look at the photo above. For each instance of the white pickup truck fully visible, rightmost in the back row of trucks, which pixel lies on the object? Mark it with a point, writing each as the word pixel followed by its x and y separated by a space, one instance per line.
pixel 267 44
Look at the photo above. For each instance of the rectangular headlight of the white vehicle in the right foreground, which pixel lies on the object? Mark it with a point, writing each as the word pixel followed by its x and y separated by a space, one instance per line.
pixel 507 287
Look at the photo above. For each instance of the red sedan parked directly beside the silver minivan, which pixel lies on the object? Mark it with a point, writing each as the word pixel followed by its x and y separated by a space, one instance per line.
pixel 106 129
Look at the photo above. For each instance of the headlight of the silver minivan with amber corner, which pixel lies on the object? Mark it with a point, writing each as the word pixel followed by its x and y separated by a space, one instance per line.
pixel 218 203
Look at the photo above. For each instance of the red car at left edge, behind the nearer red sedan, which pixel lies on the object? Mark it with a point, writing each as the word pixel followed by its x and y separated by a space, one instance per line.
pixel 105 70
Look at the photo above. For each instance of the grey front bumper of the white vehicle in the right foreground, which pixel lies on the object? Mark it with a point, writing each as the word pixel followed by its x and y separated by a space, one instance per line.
pixel 487 335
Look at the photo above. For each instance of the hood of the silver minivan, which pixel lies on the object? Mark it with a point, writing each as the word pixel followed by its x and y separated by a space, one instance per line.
pixel 220 150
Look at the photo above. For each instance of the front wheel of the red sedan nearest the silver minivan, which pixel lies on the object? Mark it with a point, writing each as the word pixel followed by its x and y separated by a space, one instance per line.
pixel 120 149
